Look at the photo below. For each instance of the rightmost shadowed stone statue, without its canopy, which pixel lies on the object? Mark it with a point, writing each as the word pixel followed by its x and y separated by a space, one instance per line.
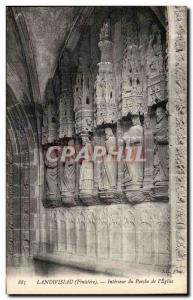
pixel 161 155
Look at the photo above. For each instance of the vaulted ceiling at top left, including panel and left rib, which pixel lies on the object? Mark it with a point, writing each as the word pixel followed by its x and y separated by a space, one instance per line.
pixel 44 30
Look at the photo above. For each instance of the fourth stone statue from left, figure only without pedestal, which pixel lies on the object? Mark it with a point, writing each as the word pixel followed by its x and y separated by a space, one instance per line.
pixel 109 168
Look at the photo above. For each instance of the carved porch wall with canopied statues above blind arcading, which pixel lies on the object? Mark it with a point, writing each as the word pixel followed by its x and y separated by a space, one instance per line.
pixel 121 93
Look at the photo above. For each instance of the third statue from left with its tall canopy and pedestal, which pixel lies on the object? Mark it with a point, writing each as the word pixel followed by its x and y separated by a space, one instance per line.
pixel 83 108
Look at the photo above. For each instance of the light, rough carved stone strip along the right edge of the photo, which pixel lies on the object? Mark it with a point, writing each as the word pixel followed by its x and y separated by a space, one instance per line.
pixel 178 107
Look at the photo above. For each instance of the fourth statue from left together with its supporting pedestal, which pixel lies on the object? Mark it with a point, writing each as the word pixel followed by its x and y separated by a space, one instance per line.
pixel 108 178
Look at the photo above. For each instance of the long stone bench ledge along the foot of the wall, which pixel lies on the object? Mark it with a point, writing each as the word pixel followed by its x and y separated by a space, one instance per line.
pixel 50 264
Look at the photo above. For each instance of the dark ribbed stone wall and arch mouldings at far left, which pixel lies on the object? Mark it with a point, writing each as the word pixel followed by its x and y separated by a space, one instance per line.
pixel 23 150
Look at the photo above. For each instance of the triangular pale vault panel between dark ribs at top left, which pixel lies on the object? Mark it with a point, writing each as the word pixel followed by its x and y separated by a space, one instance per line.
pixel 47 29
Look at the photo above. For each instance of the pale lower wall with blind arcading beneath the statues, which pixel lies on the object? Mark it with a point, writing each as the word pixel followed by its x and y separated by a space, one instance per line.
pixel 136 234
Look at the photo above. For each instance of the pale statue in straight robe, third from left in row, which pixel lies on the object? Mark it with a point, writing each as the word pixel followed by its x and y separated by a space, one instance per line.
pixel 86 178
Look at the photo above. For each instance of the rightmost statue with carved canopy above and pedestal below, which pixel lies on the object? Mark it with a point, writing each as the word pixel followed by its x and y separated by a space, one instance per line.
pixel 156 121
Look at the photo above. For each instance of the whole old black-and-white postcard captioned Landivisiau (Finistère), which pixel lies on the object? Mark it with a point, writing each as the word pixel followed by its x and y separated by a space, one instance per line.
pixel 96 167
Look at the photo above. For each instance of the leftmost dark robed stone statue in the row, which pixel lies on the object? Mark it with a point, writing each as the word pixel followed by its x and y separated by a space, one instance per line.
pixel 52 173
